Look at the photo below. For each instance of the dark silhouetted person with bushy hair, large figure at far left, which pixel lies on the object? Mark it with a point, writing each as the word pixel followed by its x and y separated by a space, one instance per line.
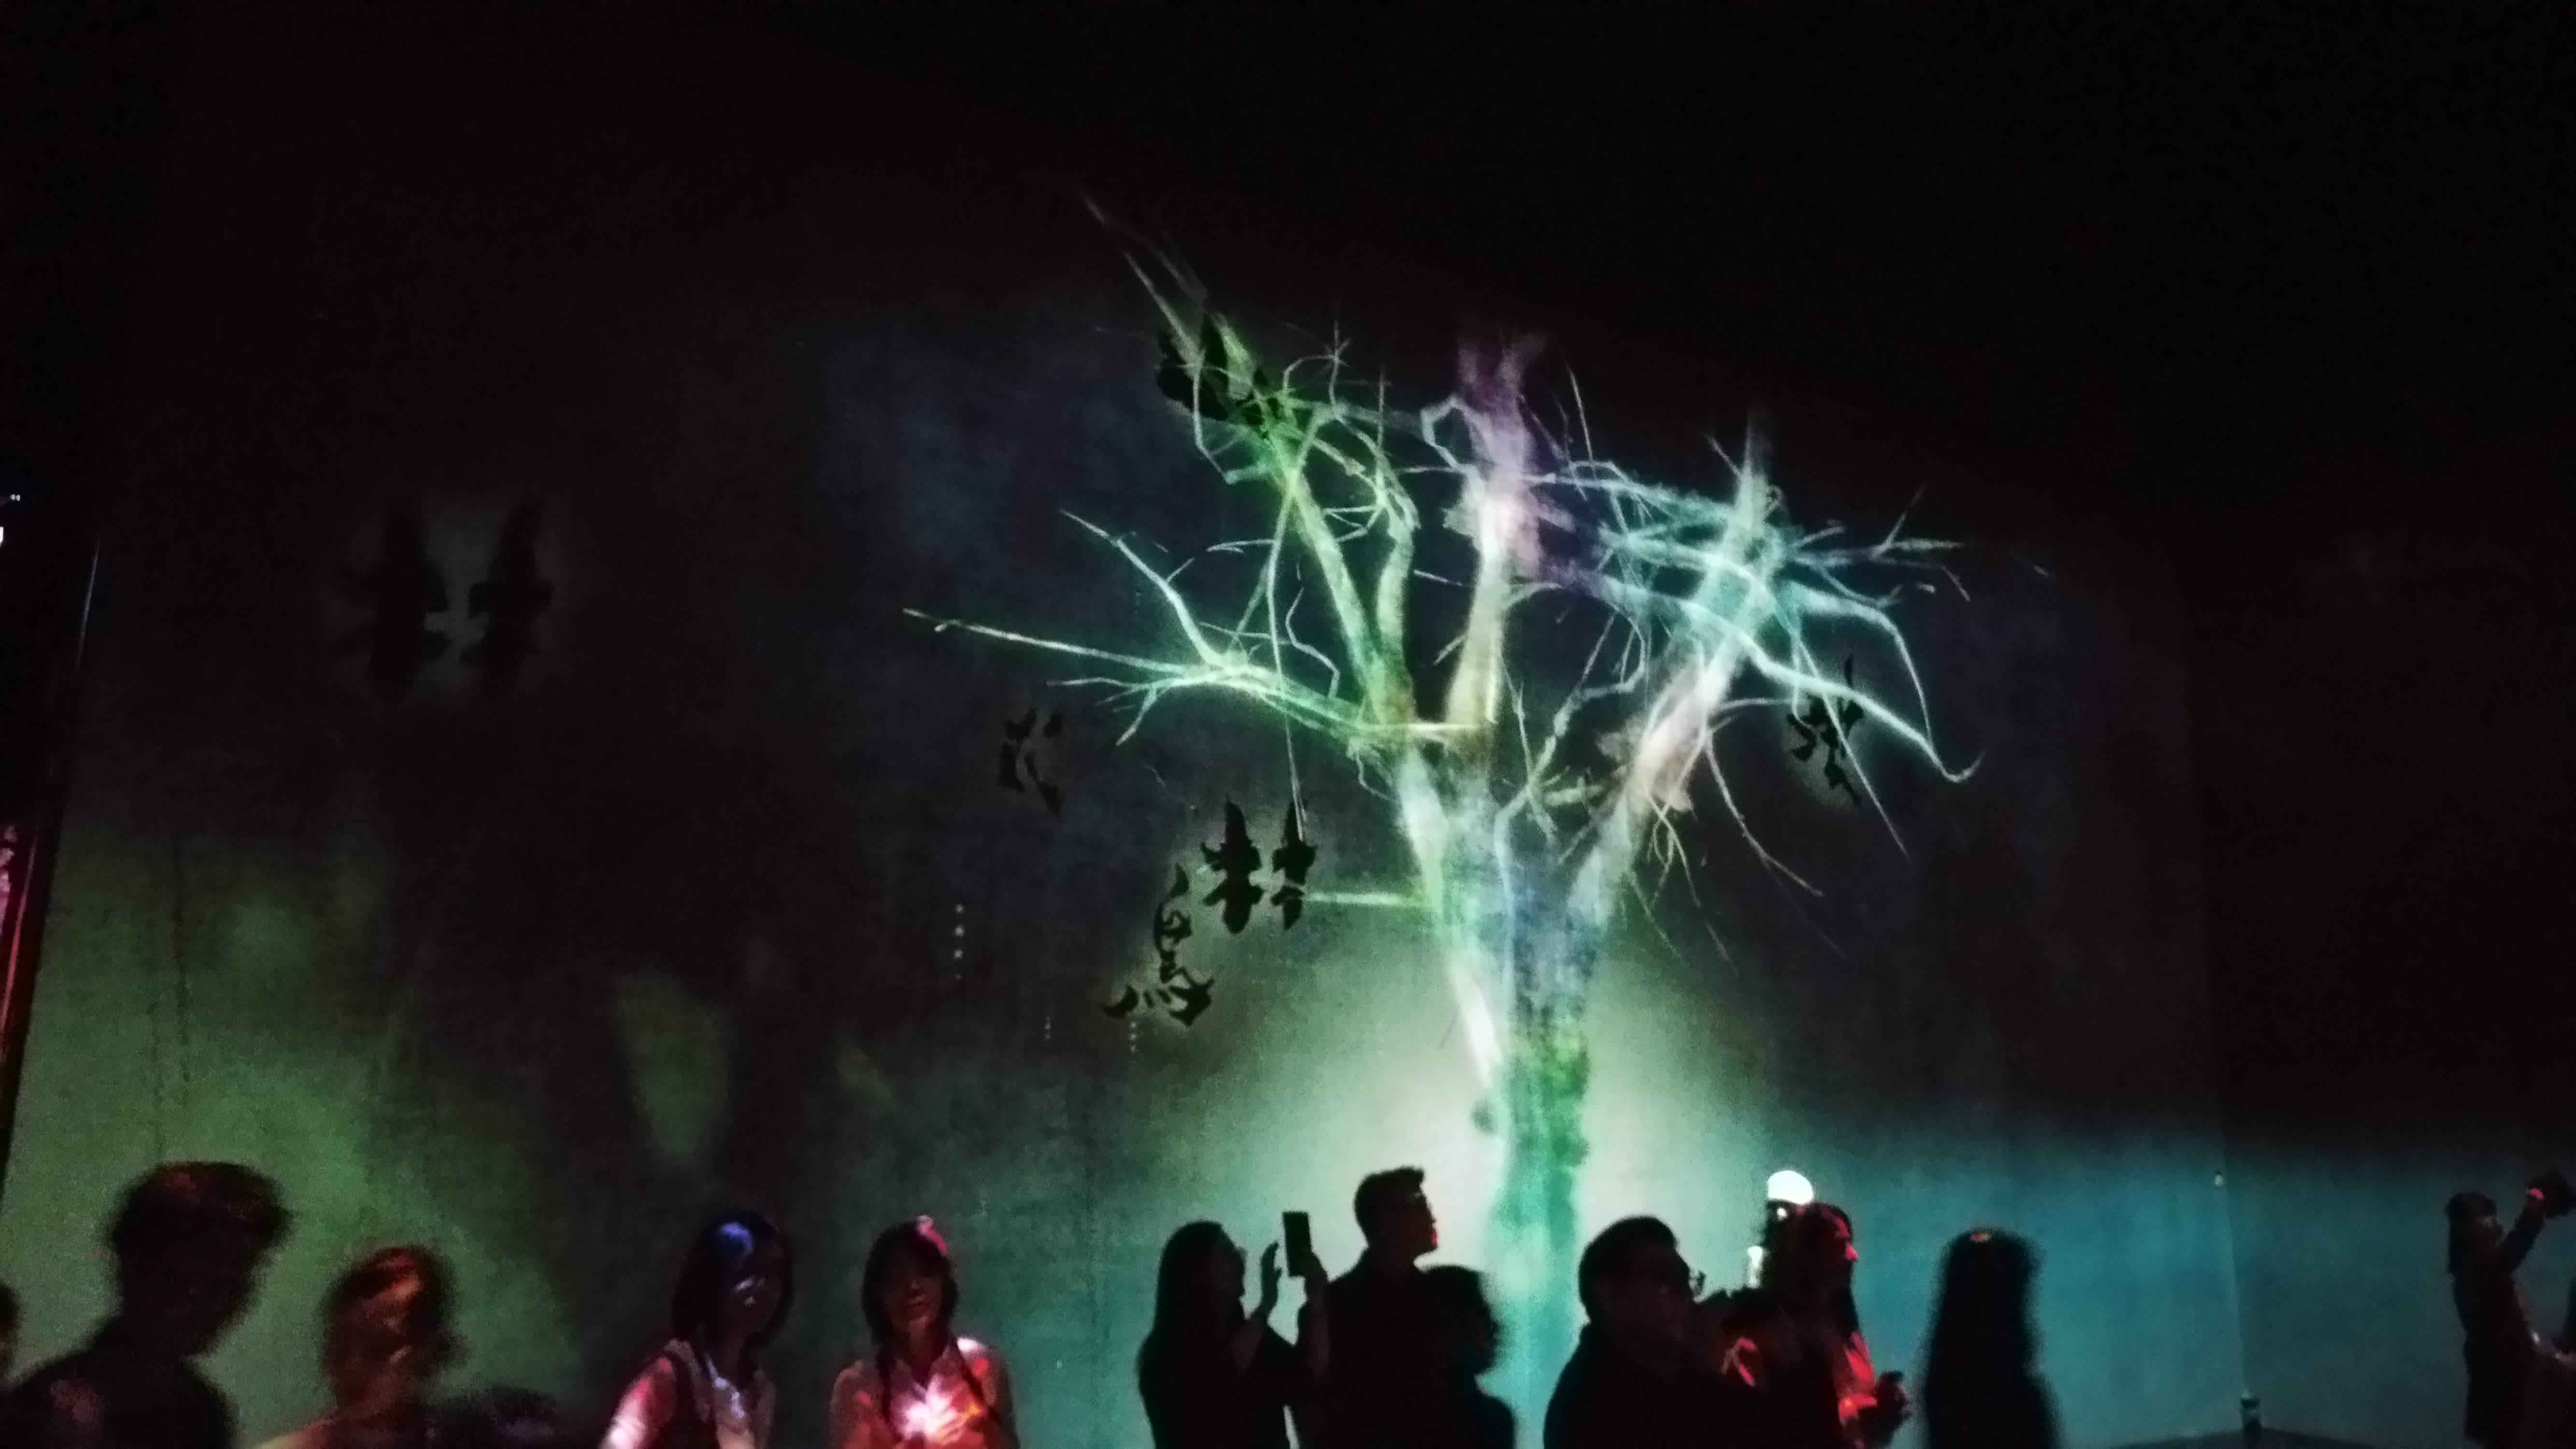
pixel 189 1247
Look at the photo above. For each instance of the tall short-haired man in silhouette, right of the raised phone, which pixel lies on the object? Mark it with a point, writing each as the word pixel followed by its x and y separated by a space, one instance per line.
pixel 1382 1314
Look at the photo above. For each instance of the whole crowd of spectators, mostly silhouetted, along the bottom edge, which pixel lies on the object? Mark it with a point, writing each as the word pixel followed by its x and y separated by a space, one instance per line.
pixel 1385 1358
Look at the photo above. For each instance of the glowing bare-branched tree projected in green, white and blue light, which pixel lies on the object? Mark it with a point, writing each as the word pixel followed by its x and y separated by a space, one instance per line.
pixel 1542 758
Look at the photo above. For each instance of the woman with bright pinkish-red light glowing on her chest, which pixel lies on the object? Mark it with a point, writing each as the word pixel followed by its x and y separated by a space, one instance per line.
pixel 923 1386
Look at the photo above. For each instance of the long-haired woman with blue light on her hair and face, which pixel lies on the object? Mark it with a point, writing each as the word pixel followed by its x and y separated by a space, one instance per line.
pixel 707 1389
